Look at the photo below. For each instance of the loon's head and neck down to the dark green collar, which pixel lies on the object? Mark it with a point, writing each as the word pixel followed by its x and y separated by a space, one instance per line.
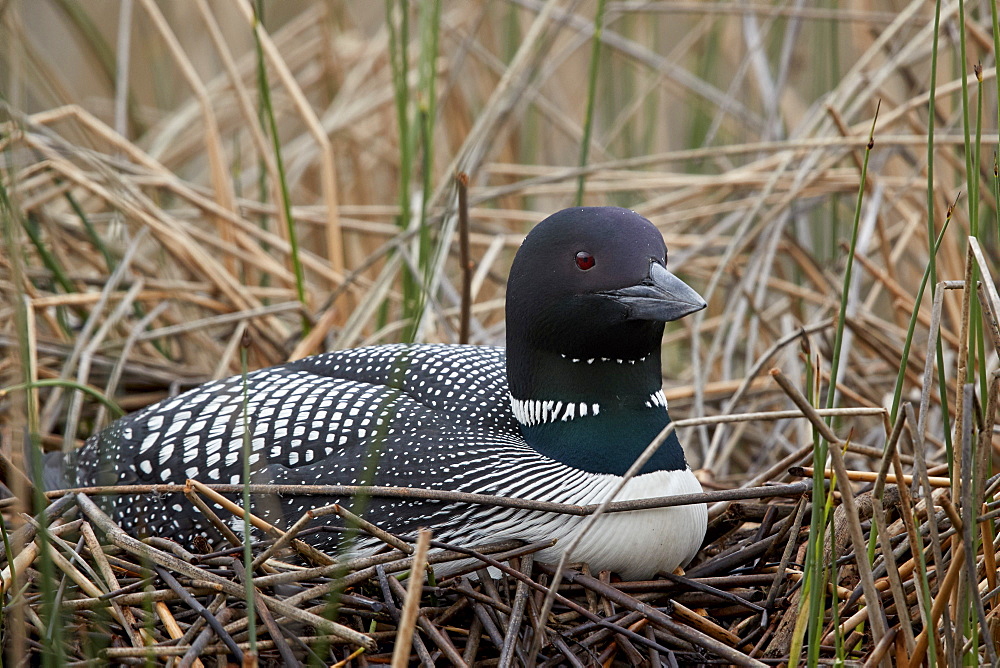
pixel 587 299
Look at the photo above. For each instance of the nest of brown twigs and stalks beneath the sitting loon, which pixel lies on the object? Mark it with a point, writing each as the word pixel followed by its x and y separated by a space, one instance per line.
pixel 126 600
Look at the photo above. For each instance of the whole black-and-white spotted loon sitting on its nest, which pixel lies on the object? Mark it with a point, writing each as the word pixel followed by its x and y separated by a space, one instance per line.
pixel 560 415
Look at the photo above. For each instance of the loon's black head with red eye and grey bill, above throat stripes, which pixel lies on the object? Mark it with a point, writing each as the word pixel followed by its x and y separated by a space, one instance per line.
pixel 592 282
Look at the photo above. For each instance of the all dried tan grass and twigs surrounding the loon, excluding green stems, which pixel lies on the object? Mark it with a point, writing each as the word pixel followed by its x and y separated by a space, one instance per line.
pixel 146 243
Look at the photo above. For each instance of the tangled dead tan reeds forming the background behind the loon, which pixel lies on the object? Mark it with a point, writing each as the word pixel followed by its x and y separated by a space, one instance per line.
pixel 176 176
